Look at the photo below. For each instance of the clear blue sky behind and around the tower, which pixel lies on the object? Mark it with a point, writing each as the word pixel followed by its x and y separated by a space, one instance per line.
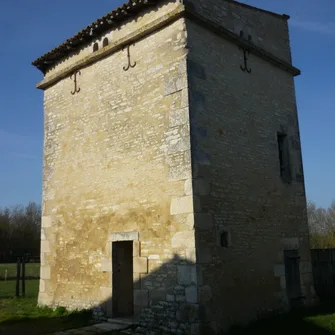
pixel 28 29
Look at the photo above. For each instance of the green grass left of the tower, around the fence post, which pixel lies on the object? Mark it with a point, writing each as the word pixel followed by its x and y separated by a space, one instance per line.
pixel 22 316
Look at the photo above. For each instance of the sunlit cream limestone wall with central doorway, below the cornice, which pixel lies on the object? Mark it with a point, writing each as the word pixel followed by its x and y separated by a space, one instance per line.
pixel 117 160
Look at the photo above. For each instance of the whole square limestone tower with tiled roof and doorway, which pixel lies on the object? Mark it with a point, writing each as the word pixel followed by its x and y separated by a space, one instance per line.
pixel 173 187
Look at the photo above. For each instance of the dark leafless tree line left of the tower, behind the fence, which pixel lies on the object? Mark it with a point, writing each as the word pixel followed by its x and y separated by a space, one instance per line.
pixel 20 232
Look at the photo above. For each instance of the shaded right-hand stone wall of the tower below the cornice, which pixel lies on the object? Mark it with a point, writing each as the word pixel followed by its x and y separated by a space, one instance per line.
pixel 238 191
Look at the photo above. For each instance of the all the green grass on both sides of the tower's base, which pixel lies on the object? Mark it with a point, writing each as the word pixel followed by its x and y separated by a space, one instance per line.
pixel 22 316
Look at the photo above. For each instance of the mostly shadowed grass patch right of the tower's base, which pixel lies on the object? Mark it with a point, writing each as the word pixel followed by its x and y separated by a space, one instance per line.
pixel 319 320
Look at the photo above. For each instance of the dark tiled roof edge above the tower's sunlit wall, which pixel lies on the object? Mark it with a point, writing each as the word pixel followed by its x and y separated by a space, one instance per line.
pixel 110 20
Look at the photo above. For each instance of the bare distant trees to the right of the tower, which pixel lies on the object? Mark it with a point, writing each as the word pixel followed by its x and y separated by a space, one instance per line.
pixel 321 222
